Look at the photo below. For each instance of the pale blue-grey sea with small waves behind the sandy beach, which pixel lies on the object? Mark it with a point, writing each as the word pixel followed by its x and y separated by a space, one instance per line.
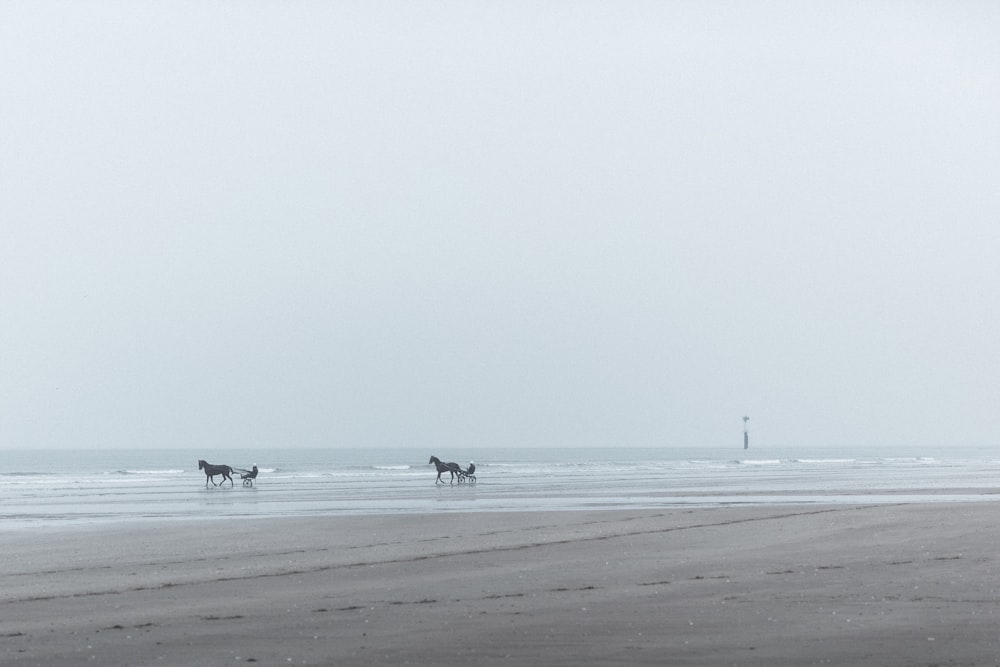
pixel 57 488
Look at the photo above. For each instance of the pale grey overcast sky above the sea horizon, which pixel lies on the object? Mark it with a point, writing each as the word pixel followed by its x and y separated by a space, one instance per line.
pixel 454 224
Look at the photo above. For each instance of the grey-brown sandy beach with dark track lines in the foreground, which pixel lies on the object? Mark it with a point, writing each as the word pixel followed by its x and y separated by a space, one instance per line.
pixel 908 584
